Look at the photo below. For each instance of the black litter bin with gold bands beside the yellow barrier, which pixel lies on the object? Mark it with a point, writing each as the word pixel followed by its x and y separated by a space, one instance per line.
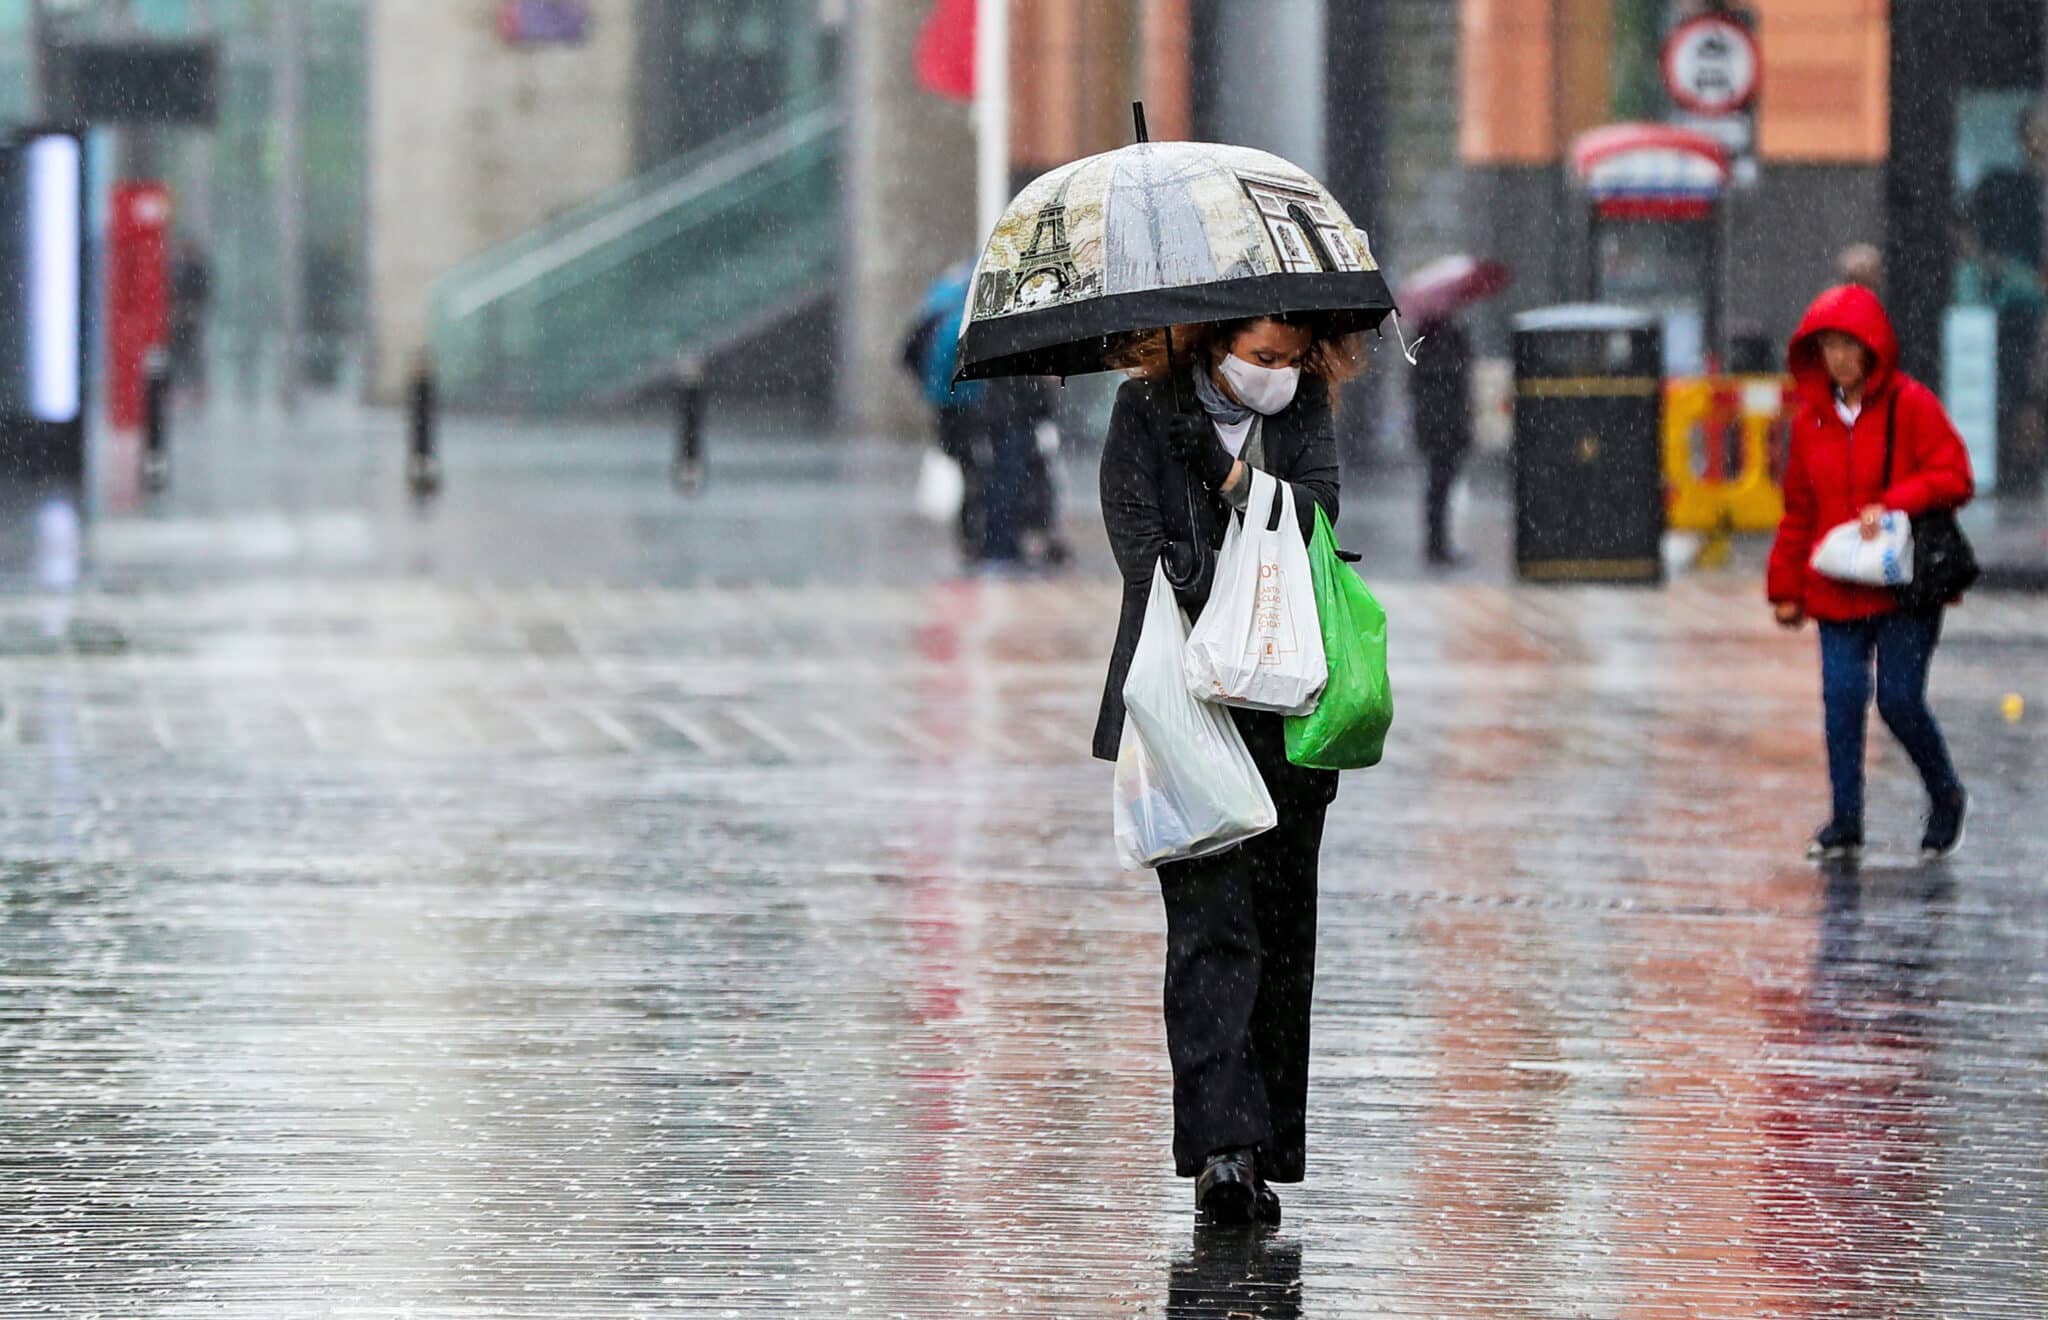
pixel 1590 500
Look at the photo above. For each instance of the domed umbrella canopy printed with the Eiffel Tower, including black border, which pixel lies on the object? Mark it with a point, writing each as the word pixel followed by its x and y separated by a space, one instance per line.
pixel 1160 234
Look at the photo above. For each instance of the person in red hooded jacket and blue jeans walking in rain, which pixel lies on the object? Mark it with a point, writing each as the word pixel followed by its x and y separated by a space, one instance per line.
pixel 1850 396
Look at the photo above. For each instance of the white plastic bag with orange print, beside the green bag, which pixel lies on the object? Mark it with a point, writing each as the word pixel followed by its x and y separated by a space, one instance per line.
pixel 1258 644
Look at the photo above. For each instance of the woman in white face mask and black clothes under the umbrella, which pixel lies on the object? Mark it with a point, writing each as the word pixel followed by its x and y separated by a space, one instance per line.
pixel 1240 959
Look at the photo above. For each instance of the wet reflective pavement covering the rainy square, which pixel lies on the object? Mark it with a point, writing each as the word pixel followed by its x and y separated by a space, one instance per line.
pixel 452 914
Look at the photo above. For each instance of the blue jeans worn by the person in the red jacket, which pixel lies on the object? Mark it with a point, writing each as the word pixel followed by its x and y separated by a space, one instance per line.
pixel 1904 648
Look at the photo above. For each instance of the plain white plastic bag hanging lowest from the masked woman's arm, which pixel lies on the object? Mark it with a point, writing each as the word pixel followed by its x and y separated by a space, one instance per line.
pixel 1187 785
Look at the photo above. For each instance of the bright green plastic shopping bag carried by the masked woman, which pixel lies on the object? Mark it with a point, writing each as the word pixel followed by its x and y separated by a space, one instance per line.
pixel 1349 728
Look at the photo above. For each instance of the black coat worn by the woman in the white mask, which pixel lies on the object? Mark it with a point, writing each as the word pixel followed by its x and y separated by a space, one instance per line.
pixel 1150 504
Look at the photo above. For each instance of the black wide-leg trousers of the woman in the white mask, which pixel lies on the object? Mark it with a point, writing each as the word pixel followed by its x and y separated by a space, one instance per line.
pixel 1240 975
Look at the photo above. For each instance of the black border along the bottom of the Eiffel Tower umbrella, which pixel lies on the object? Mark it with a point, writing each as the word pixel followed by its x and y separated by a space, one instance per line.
pixel 1070 341
